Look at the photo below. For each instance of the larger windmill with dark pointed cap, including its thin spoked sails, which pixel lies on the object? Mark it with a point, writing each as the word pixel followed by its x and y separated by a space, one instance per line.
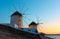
pixel 18 19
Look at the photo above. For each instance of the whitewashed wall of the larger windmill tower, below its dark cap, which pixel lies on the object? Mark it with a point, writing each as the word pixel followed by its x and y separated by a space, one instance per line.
pixel 15 21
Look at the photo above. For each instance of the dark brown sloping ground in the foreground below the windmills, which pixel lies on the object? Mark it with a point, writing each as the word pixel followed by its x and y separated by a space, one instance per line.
pixel 7 32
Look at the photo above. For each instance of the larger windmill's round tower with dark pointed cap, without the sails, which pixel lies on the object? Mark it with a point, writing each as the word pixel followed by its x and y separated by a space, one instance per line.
pixel 16 20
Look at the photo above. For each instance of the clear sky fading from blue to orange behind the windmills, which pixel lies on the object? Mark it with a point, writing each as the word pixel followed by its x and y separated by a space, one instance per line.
pixel 46 10
